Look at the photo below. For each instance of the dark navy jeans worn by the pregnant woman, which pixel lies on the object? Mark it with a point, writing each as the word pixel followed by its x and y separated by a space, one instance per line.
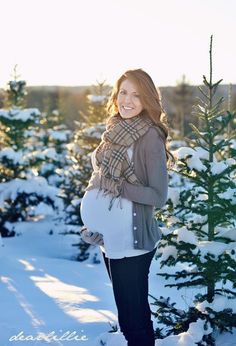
pixel 129 278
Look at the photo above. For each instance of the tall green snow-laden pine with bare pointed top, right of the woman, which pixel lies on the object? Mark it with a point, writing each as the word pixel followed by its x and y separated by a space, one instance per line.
pixel 200 221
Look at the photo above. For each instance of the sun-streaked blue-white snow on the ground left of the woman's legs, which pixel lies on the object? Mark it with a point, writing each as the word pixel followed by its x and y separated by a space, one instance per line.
pixel 43 290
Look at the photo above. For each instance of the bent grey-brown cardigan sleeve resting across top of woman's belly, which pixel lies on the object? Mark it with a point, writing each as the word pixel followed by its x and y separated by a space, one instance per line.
pixel 155 193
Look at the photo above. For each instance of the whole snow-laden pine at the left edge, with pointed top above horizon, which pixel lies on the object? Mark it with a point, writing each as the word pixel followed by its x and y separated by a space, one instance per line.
pixel 23 194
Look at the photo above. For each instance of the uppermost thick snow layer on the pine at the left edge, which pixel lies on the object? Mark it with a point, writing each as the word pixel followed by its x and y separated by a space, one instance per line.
pixel 20 114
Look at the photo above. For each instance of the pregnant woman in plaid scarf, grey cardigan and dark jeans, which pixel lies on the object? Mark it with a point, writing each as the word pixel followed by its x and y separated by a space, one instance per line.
pixel 129 180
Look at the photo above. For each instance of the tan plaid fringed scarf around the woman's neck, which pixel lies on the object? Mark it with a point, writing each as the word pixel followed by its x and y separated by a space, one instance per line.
pixel 111 154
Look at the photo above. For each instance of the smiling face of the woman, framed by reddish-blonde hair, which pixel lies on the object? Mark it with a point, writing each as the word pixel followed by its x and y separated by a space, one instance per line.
pixel 128 100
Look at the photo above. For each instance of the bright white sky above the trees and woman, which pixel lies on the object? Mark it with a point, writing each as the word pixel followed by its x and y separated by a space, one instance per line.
pixel 76 42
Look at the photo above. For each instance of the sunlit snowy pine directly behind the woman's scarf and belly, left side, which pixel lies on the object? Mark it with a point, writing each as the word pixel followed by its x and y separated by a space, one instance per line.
pixel 86 138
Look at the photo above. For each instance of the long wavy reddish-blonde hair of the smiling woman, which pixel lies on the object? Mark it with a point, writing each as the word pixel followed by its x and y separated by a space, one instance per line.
pixel 150 98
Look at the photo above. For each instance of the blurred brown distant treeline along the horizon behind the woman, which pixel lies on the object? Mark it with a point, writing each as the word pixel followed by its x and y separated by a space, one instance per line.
pixel 72 102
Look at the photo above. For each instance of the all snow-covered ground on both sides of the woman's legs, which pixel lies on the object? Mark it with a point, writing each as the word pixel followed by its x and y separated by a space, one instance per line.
pixel 45 294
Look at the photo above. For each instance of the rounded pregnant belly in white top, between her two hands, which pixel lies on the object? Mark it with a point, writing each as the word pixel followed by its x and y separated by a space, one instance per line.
pixel 97 217
